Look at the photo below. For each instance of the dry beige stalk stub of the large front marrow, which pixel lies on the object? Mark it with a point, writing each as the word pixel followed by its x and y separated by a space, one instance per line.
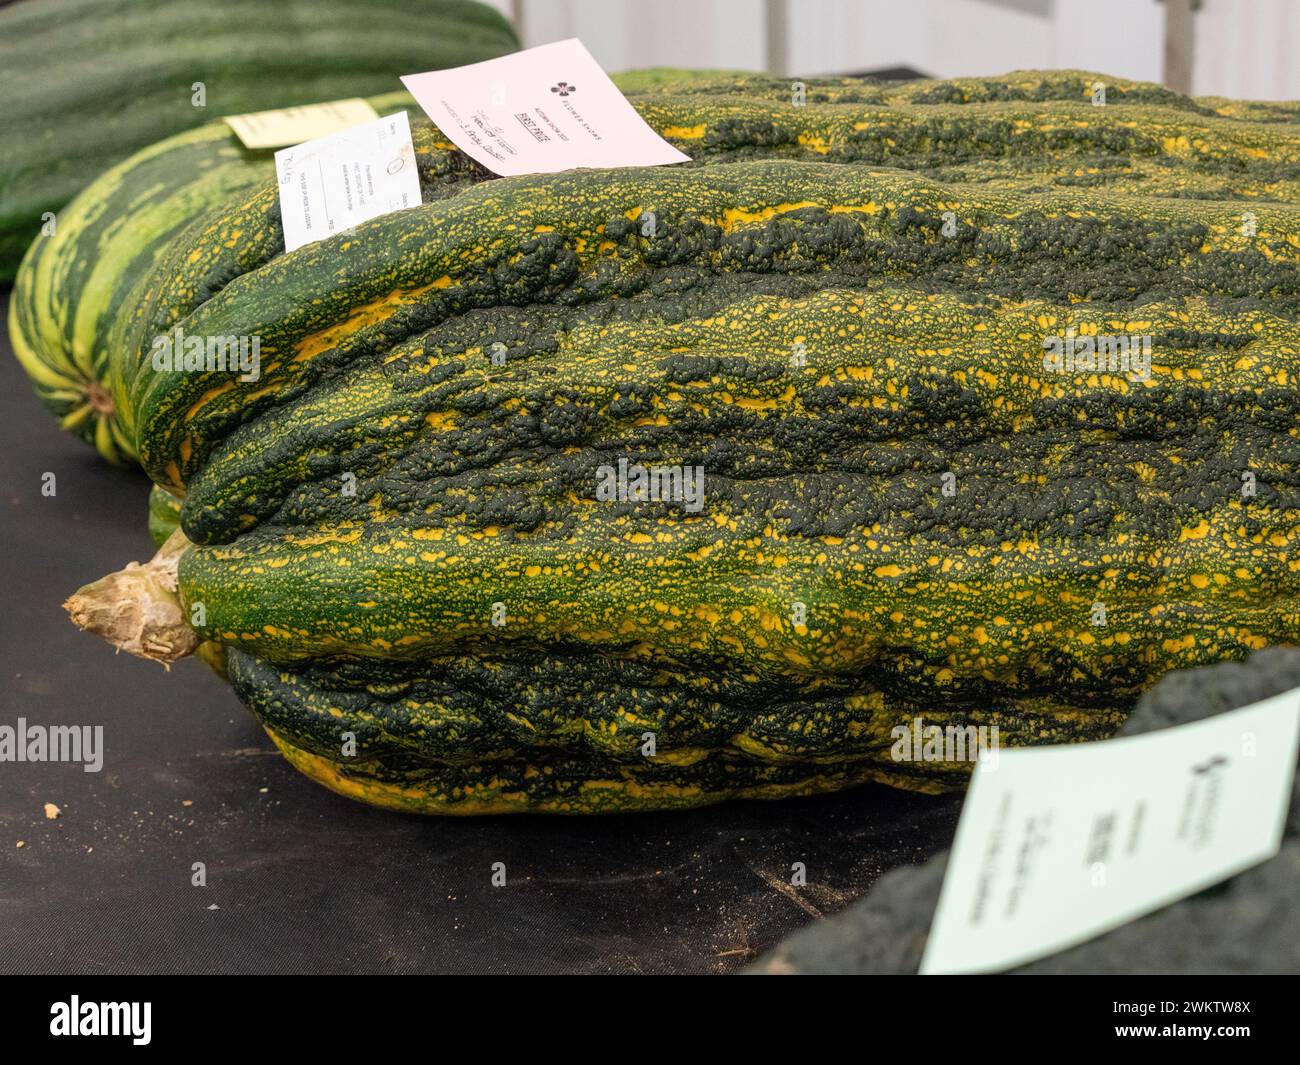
pixel 138 609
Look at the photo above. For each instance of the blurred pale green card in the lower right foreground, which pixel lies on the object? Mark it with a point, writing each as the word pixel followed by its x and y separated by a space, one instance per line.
pixel 1060 845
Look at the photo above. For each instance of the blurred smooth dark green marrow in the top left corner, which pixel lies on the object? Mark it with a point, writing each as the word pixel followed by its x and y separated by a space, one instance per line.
pixel 118 76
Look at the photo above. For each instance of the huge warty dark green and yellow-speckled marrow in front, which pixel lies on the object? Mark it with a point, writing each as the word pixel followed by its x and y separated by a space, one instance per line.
pixel 372 614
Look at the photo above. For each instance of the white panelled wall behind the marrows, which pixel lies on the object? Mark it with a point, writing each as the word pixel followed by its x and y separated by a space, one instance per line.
pixel 1249 49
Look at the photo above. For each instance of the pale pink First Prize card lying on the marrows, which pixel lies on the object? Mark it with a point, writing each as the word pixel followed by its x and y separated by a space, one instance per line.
pixel 539 112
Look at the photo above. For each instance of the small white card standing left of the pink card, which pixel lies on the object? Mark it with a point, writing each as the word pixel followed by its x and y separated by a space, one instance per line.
pixel 336 183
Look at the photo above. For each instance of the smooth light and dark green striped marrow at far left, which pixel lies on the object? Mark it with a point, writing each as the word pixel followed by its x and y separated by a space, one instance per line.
pixel 73 284
